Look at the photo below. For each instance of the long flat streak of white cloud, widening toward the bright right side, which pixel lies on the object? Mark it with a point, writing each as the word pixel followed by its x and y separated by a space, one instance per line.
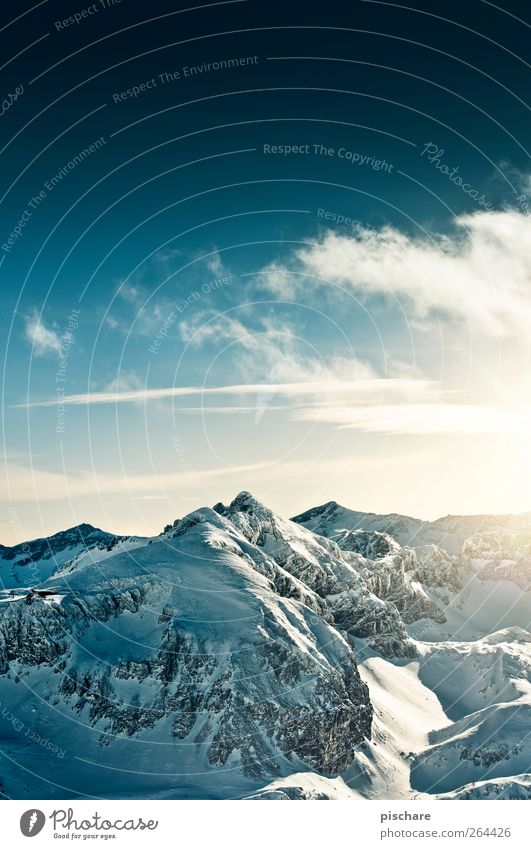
pixel 378 405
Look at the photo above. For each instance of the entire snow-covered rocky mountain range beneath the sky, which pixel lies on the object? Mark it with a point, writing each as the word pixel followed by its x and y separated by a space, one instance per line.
pixel 239 654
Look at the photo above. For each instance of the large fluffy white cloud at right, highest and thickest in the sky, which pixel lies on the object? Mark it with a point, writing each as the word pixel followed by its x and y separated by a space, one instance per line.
pixel 480 274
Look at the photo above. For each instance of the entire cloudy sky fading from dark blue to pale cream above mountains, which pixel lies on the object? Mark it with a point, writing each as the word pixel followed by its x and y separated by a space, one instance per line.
pixel 192 301
